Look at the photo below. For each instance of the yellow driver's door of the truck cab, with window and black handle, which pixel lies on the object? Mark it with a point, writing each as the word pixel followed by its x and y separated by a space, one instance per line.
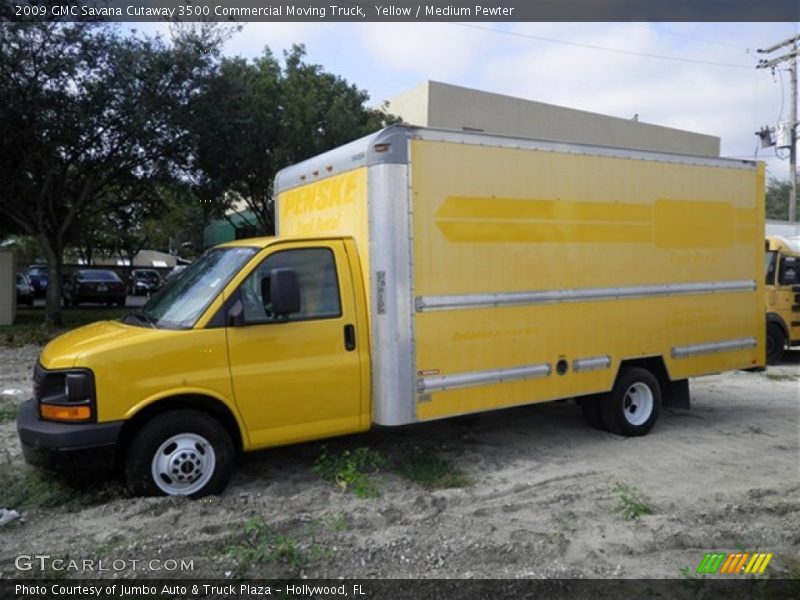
pixel 298 377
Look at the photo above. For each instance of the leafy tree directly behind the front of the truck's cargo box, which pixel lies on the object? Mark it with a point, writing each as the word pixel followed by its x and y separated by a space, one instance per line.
pixel 256 117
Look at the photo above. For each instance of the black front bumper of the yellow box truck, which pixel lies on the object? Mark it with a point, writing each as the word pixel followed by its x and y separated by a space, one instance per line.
pixel 74 447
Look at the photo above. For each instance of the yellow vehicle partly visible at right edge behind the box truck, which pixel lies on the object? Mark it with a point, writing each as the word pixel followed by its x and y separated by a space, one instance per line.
pixel 782 268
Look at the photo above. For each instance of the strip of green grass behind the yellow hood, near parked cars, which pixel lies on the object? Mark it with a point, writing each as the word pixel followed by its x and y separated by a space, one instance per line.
pixel 29 327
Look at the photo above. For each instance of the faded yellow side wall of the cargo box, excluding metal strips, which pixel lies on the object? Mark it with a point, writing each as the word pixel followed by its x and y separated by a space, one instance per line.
pixel 494 220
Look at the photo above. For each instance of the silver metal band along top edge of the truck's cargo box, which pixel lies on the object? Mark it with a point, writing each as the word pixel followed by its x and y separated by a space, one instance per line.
pixel 390 146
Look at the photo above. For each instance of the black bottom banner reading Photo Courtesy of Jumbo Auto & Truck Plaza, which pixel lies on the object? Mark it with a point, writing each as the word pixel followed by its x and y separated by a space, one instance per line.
pixel 399 589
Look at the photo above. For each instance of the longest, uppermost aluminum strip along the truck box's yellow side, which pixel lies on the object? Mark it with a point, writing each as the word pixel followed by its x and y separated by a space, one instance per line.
pixel 429 303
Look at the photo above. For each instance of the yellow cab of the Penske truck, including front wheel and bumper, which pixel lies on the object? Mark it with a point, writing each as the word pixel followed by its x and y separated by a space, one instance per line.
pixel 258 343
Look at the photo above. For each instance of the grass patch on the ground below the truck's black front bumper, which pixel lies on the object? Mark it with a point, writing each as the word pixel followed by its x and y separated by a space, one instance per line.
pixel 26 487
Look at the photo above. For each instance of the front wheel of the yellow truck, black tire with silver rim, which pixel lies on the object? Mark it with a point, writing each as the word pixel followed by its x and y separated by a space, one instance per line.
pixel 180 453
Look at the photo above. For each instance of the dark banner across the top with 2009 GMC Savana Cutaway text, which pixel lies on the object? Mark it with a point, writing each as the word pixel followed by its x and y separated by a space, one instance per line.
pixel 402 10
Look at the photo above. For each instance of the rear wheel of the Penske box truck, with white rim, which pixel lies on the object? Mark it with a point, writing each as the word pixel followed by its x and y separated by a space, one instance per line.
pixel 632 407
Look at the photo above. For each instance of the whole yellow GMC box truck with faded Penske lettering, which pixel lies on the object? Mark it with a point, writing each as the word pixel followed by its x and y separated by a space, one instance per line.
pixel 420 274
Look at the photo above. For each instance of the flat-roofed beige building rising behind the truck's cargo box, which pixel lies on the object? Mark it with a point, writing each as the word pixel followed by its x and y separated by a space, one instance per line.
pixel 434 104
